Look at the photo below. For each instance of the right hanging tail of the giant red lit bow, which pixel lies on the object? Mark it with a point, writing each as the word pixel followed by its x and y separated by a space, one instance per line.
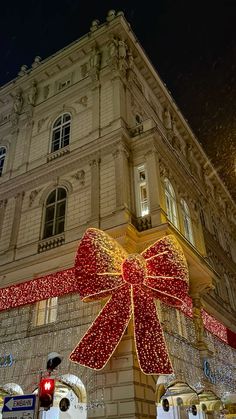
pixel 149 339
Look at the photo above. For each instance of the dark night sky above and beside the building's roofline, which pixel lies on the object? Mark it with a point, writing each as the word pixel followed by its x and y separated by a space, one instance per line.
pixel 191 43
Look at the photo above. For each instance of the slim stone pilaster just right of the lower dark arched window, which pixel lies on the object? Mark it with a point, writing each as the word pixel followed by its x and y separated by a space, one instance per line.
pixel 95 192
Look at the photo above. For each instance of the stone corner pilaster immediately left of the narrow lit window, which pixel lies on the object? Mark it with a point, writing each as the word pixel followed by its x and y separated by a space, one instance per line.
pixel 122 185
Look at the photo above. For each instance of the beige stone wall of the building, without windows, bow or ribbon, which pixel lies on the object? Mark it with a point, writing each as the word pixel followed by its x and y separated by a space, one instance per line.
pixel 122 118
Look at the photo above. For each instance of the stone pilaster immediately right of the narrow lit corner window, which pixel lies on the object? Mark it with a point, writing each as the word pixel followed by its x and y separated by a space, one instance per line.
pixel 154 186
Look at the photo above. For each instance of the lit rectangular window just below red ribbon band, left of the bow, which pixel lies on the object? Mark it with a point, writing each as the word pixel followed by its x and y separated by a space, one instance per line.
pixel 45 311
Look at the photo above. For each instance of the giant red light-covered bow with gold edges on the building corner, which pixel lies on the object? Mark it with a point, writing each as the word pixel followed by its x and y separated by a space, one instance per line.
pixel 103 268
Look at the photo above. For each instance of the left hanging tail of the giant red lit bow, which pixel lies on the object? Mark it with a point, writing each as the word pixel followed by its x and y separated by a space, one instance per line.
pixel 100 341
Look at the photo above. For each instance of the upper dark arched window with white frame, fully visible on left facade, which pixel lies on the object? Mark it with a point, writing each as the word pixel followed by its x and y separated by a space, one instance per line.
pixel 61 132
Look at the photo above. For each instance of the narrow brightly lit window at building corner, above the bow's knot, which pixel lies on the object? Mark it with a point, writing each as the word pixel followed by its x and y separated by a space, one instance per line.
pixel 142 202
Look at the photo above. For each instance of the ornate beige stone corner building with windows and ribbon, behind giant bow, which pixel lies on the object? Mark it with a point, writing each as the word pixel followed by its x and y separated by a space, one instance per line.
pixel 91 137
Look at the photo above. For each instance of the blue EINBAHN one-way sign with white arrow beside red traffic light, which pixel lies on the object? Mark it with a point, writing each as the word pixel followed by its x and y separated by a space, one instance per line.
pixel 19 403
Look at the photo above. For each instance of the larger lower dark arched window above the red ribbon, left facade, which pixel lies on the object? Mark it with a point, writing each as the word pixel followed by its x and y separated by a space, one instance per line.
pixel 55 208
